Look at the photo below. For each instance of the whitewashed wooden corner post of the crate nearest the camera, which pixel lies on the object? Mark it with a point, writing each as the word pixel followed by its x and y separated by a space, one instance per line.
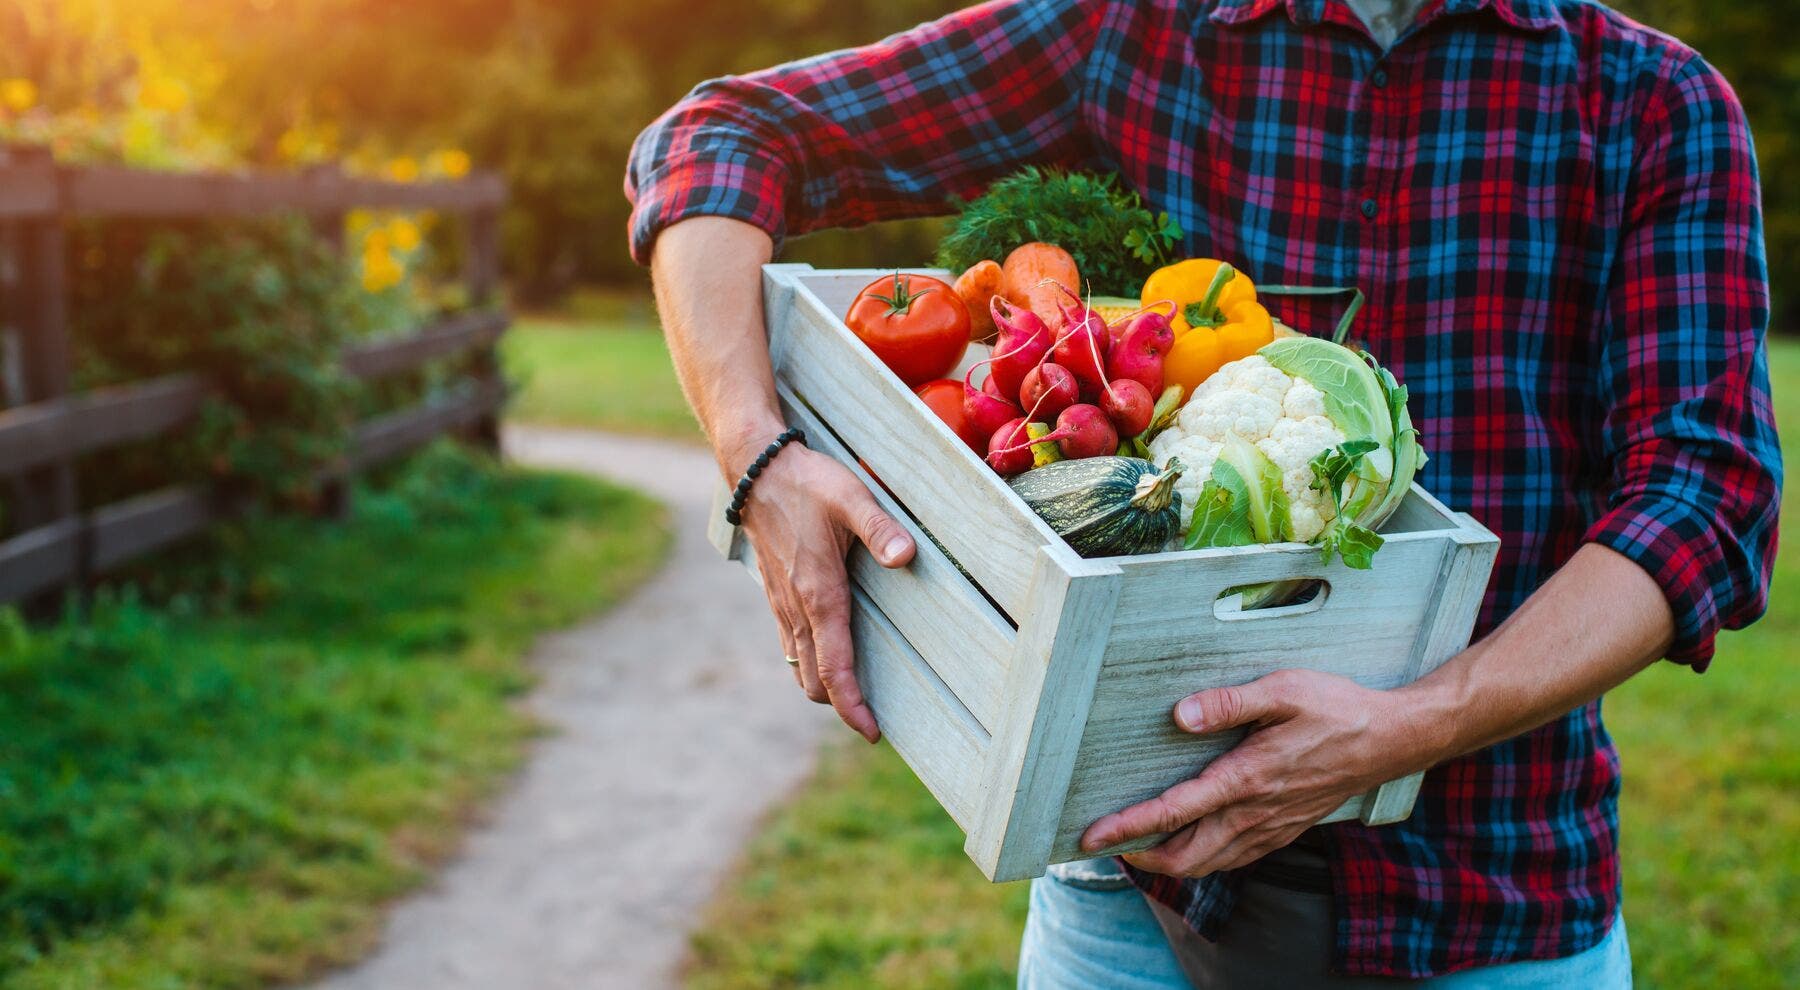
pixel 1050 685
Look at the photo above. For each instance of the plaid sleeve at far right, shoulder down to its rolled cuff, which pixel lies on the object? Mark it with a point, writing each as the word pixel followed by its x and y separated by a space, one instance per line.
pixel 1689 429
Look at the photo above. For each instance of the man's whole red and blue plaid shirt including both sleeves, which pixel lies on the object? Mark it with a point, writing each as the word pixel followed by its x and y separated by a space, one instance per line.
pixel 1556 217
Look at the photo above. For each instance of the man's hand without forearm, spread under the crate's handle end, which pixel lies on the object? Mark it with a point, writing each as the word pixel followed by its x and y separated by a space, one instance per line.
pixel 1315 742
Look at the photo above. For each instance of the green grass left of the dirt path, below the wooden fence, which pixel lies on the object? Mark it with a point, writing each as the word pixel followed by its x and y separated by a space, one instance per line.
pixel 224 789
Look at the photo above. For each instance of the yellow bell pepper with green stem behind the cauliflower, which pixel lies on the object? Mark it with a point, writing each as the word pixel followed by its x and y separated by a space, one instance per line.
pixel 1218 318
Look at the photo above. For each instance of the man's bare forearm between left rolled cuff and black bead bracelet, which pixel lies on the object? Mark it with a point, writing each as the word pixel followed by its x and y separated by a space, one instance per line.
pixel 708 278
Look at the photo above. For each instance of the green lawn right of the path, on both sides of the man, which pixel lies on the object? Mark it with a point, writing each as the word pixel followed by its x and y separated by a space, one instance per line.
pixel 861 881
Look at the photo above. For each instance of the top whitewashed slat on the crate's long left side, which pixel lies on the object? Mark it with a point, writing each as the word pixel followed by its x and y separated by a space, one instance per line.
pixel 928 469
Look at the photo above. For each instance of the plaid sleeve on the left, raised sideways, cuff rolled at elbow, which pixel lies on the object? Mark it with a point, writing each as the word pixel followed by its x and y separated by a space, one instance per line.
pixel 868 134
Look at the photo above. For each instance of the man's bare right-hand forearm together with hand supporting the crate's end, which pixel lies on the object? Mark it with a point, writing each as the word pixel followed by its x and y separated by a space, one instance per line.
pixel 1318 739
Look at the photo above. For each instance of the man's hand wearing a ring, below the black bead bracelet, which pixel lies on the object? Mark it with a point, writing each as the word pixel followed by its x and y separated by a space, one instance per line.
pixel 802 517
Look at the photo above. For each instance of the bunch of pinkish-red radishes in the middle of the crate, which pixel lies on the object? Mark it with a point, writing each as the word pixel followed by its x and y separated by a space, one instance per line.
pixel 1083 390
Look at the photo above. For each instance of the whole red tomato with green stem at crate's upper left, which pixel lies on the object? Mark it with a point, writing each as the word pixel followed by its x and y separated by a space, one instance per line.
pixel 917 325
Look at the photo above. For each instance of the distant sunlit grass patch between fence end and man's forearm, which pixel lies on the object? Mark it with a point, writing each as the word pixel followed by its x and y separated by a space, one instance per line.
pixel 598 363
